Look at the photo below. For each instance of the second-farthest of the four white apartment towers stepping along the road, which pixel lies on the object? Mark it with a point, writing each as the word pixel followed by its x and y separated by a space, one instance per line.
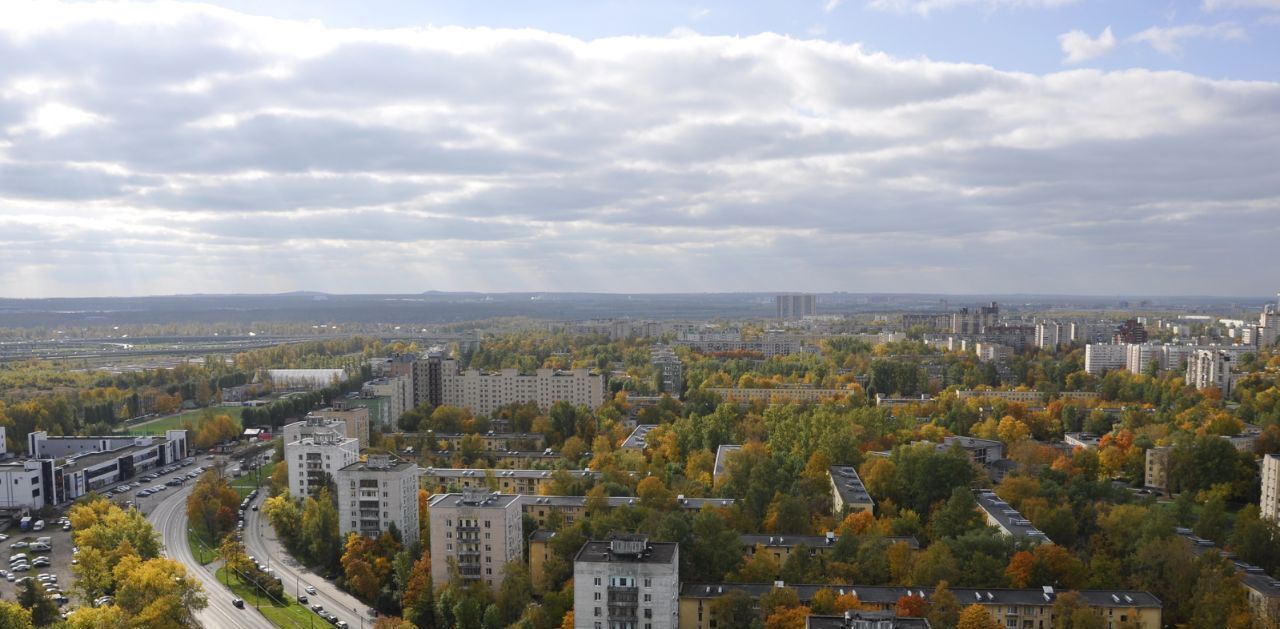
pixel 376 494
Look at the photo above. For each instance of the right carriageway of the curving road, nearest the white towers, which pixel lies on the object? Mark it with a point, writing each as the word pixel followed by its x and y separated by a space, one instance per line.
pixel 260 541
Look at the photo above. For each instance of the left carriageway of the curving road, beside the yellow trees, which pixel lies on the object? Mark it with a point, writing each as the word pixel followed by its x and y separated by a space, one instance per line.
pixel 170 518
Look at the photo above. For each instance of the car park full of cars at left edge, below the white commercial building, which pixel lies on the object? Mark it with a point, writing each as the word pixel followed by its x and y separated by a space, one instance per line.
pixel 35 554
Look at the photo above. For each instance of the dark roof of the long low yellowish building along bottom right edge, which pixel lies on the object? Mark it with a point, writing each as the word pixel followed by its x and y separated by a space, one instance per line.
pixel 889 595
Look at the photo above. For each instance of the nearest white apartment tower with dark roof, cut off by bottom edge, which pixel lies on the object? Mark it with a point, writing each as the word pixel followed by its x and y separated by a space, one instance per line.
pixel 627 584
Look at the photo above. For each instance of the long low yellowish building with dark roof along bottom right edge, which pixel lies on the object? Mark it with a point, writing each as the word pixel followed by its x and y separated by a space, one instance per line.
pixel 1031 608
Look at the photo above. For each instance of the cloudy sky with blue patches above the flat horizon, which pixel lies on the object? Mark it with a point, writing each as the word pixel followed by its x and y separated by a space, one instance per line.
pixel 1050 147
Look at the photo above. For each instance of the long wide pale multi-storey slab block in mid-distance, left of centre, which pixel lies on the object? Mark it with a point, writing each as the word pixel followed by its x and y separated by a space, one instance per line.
pixel 486 393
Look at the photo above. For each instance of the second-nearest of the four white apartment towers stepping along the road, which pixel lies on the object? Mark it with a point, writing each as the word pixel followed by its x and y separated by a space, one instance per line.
pixel 476 534
